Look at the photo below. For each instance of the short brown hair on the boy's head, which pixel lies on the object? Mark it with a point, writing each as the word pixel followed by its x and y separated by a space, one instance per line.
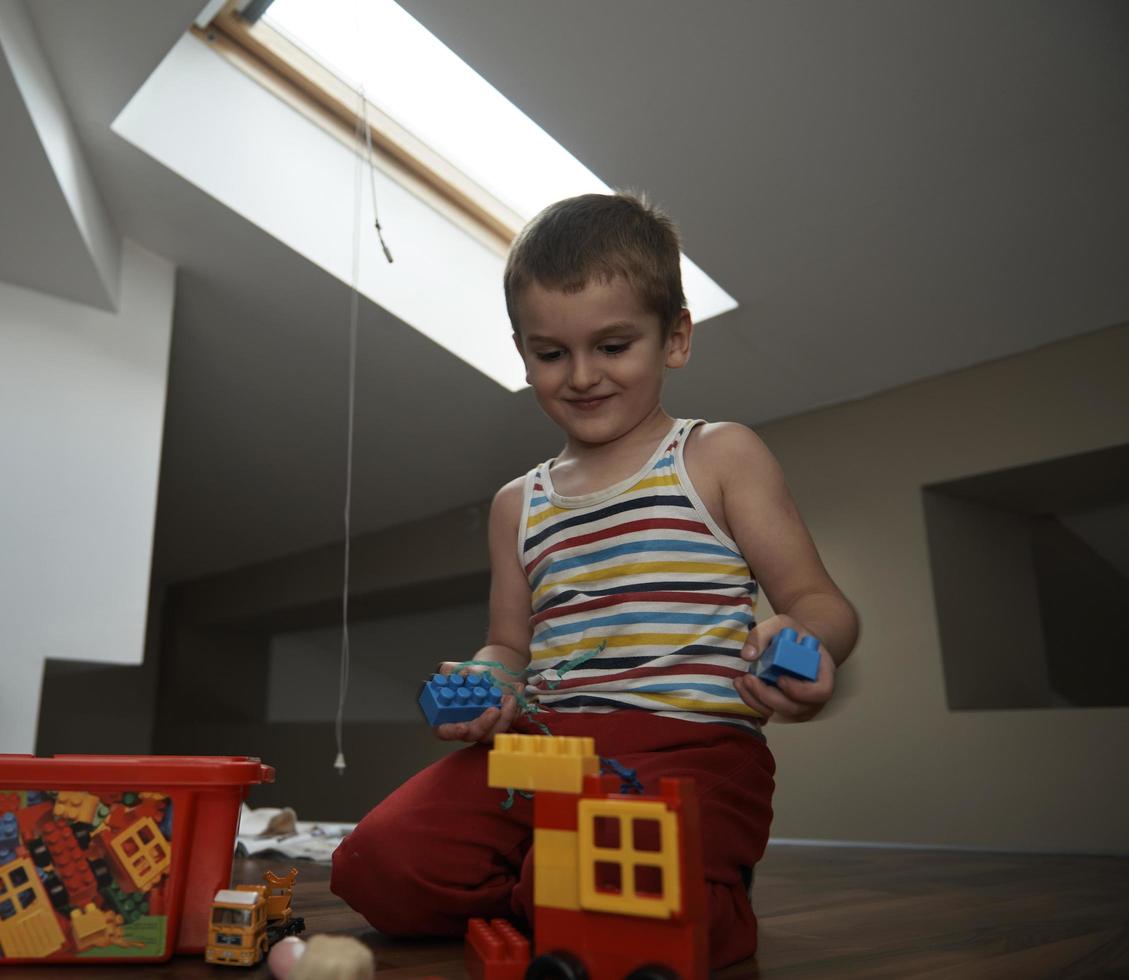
pixel 600 237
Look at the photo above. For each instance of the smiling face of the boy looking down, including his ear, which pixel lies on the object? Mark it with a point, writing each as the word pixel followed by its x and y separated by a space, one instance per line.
pixel 596 358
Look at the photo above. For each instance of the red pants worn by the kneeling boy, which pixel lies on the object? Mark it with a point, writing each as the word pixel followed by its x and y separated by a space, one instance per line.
pixel 441 850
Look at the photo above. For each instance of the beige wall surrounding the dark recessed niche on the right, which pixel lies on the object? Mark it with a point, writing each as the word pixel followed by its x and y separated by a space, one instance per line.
pixel 889 762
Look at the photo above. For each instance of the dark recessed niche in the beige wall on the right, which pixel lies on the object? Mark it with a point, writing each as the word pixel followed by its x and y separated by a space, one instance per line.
pixel 1031 581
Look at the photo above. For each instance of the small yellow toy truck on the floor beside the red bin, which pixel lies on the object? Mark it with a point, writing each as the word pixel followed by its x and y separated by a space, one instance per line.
pixel 249 920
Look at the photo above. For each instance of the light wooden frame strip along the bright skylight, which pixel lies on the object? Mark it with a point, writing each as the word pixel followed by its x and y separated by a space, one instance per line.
pixel 290 73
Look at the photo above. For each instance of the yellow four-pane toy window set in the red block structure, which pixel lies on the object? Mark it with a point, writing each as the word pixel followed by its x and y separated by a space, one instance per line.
pixel 627 859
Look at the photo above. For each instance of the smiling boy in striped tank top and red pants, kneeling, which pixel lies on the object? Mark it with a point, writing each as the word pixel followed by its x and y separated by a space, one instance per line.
pixel 625 576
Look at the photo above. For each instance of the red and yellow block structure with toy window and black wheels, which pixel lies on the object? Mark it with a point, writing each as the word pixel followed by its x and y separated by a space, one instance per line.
pixel 619 888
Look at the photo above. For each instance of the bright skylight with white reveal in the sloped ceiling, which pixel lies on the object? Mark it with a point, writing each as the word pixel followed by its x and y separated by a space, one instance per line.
pixel 442 136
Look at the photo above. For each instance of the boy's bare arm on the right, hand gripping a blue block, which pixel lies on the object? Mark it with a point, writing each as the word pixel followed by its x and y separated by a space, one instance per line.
pixel 766 524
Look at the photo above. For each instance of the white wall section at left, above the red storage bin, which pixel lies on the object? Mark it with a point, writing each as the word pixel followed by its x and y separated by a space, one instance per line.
pixel 82 418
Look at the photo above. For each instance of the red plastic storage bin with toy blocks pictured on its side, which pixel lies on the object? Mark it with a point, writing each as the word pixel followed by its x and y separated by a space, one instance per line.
pixel 116 859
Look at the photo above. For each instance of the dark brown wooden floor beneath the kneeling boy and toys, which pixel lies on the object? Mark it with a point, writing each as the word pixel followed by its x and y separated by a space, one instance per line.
pixel 828 913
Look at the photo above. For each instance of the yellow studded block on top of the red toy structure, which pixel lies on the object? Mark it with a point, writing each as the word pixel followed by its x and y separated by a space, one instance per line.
pixel 556 764
